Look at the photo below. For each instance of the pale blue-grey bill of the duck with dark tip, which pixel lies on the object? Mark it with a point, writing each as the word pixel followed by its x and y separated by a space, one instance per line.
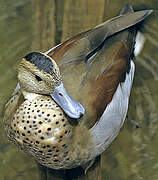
pixel 71 107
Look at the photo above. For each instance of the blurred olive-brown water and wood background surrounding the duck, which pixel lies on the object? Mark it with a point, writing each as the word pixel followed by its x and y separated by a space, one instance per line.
pixel 38 25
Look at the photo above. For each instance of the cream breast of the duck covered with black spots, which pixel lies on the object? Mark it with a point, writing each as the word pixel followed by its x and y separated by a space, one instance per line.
pixel 40 128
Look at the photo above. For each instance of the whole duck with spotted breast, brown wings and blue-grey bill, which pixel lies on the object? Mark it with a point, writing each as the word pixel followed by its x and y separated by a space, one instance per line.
pixel 97 70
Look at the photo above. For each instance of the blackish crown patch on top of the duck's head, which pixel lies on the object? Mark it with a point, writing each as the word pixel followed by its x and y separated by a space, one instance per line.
pixel 41 61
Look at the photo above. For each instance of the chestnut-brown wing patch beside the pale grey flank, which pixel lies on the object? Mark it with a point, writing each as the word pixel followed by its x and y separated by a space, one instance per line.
pixel 106 84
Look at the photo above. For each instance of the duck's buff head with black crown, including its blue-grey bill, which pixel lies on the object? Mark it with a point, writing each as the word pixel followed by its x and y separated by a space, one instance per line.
pixel 39 74
